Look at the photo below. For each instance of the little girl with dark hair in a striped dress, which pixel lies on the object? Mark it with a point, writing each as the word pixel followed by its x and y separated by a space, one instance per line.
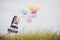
pixel 14 25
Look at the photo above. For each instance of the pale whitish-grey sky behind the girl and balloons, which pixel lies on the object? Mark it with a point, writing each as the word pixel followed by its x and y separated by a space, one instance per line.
pixel 47 18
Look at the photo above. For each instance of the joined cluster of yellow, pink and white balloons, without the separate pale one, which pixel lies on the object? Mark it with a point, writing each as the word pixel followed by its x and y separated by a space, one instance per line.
pixel 33 12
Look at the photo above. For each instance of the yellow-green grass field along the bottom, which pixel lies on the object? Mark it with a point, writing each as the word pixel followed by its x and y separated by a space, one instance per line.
pixel 31 36
